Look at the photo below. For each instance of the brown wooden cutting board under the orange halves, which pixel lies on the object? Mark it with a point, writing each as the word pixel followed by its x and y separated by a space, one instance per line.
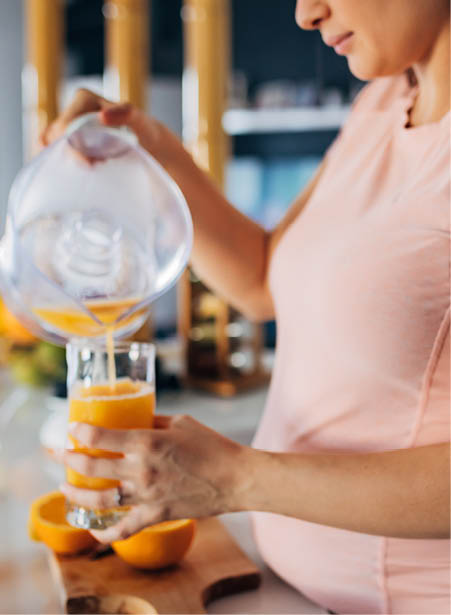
pixel 214 567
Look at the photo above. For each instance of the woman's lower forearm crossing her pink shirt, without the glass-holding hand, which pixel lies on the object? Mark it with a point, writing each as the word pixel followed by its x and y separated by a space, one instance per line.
pixel 403 493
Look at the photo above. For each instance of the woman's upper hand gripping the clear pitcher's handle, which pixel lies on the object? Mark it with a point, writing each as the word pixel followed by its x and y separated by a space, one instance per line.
pixel 152 135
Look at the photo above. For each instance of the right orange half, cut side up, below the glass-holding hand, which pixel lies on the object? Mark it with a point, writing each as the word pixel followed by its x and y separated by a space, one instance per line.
pixel 157 546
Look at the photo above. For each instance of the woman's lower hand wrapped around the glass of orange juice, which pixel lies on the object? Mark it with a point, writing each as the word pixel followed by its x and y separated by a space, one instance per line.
pixel 178 469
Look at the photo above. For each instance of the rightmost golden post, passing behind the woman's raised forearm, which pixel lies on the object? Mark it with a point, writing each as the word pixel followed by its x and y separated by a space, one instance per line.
pixel 205 84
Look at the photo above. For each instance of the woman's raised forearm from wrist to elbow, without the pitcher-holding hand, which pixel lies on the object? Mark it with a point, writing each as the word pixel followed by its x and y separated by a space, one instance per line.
pixel 230 250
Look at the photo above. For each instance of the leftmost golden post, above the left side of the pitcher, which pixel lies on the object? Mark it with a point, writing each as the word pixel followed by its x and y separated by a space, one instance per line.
pixel 44 32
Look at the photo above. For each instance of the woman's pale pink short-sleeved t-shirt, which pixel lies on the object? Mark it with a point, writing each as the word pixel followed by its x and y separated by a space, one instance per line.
pixel 361 286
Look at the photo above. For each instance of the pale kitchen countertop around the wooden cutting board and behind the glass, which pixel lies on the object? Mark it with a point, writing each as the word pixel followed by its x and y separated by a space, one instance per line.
pixel 26 472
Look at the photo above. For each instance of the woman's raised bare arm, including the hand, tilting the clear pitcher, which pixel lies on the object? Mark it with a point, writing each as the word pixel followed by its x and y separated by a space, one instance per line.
pixel 231 253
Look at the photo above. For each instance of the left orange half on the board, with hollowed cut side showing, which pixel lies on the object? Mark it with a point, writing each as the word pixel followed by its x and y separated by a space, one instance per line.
pixel 47 523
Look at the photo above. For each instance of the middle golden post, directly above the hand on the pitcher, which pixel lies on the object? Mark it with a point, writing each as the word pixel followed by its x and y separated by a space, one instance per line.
pixel 127 49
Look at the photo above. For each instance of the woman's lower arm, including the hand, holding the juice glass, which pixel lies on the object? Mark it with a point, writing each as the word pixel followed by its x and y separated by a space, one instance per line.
pixel 184 469
